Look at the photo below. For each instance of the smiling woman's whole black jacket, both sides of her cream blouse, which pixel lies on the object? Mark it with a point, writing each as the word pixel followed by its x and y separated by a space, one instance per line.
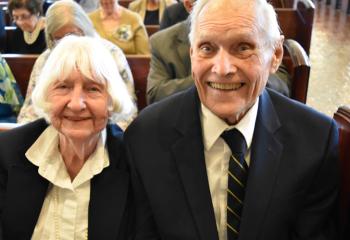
pixel 23 190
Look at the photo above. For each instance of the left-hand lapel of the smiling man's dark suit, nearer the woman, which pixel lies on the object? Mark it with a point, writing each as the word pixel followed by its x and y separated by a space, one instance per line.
pixel 189 156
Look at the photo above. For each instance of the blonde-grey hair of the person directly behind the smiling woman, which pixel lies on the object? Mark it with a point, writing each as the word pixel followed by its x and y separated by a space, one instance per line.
pixel 64 13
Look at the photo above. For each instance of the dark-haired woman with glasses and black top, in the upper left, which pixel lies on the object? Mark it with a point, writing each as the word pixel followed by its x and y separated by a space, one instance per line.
pixel 29 34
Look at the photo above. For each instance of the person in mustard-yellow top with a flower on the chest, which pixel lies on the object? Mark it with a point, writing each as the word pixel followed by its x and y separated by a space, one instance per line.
pixel 121 26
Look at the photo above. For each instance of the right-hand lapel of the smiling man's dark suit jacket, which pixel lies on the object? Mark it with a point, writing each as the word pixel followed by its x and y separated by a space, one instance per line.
pixel 266 151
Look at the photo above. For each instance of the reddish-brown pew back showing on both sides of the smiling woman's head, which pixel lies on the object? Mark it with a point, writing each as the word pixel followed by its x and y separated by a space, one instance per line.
pixel 22 65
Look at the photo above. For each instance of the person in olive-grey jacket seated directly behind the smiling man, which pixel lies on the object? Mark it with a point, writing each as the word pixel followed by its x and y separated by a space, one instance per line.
pixel 170 70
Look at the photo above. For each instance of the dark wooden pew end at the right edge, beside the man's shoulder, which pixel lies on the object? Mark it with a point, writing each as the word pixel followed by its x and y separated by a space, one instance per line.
pixel 342 116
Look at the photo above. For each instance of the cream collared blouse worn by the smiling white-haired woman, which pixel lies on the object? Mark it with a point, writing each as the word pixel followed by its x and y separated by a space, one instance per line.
pixel 64 214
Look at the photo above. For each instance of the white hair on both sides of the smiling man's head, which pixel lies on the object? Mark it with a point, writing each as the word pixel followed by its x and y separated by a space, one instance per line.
pixel 266 20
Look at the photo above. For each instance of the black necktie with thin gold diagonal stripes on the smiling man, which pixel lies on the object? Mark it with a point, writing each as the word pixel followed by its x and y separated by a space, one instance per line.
pixel 237 178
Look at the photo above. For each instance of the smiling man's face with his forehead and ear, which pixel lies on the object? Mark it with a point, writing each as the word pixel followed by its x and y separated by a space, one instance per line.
pixel 230 62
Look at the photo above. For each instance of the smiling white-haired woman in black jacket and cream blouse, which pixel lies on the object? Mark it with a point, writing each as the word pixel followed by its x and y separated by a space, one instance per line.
pixel 65 177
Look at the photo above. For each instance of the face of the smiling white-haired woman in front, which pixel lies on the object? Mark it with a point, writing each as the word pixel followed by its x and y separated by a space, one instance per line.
pixel 79 107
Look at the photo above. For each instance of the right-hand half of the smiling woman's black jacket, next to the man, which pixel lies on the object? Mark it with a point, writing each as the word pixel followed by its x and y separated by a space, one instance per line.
pixel 109 192
